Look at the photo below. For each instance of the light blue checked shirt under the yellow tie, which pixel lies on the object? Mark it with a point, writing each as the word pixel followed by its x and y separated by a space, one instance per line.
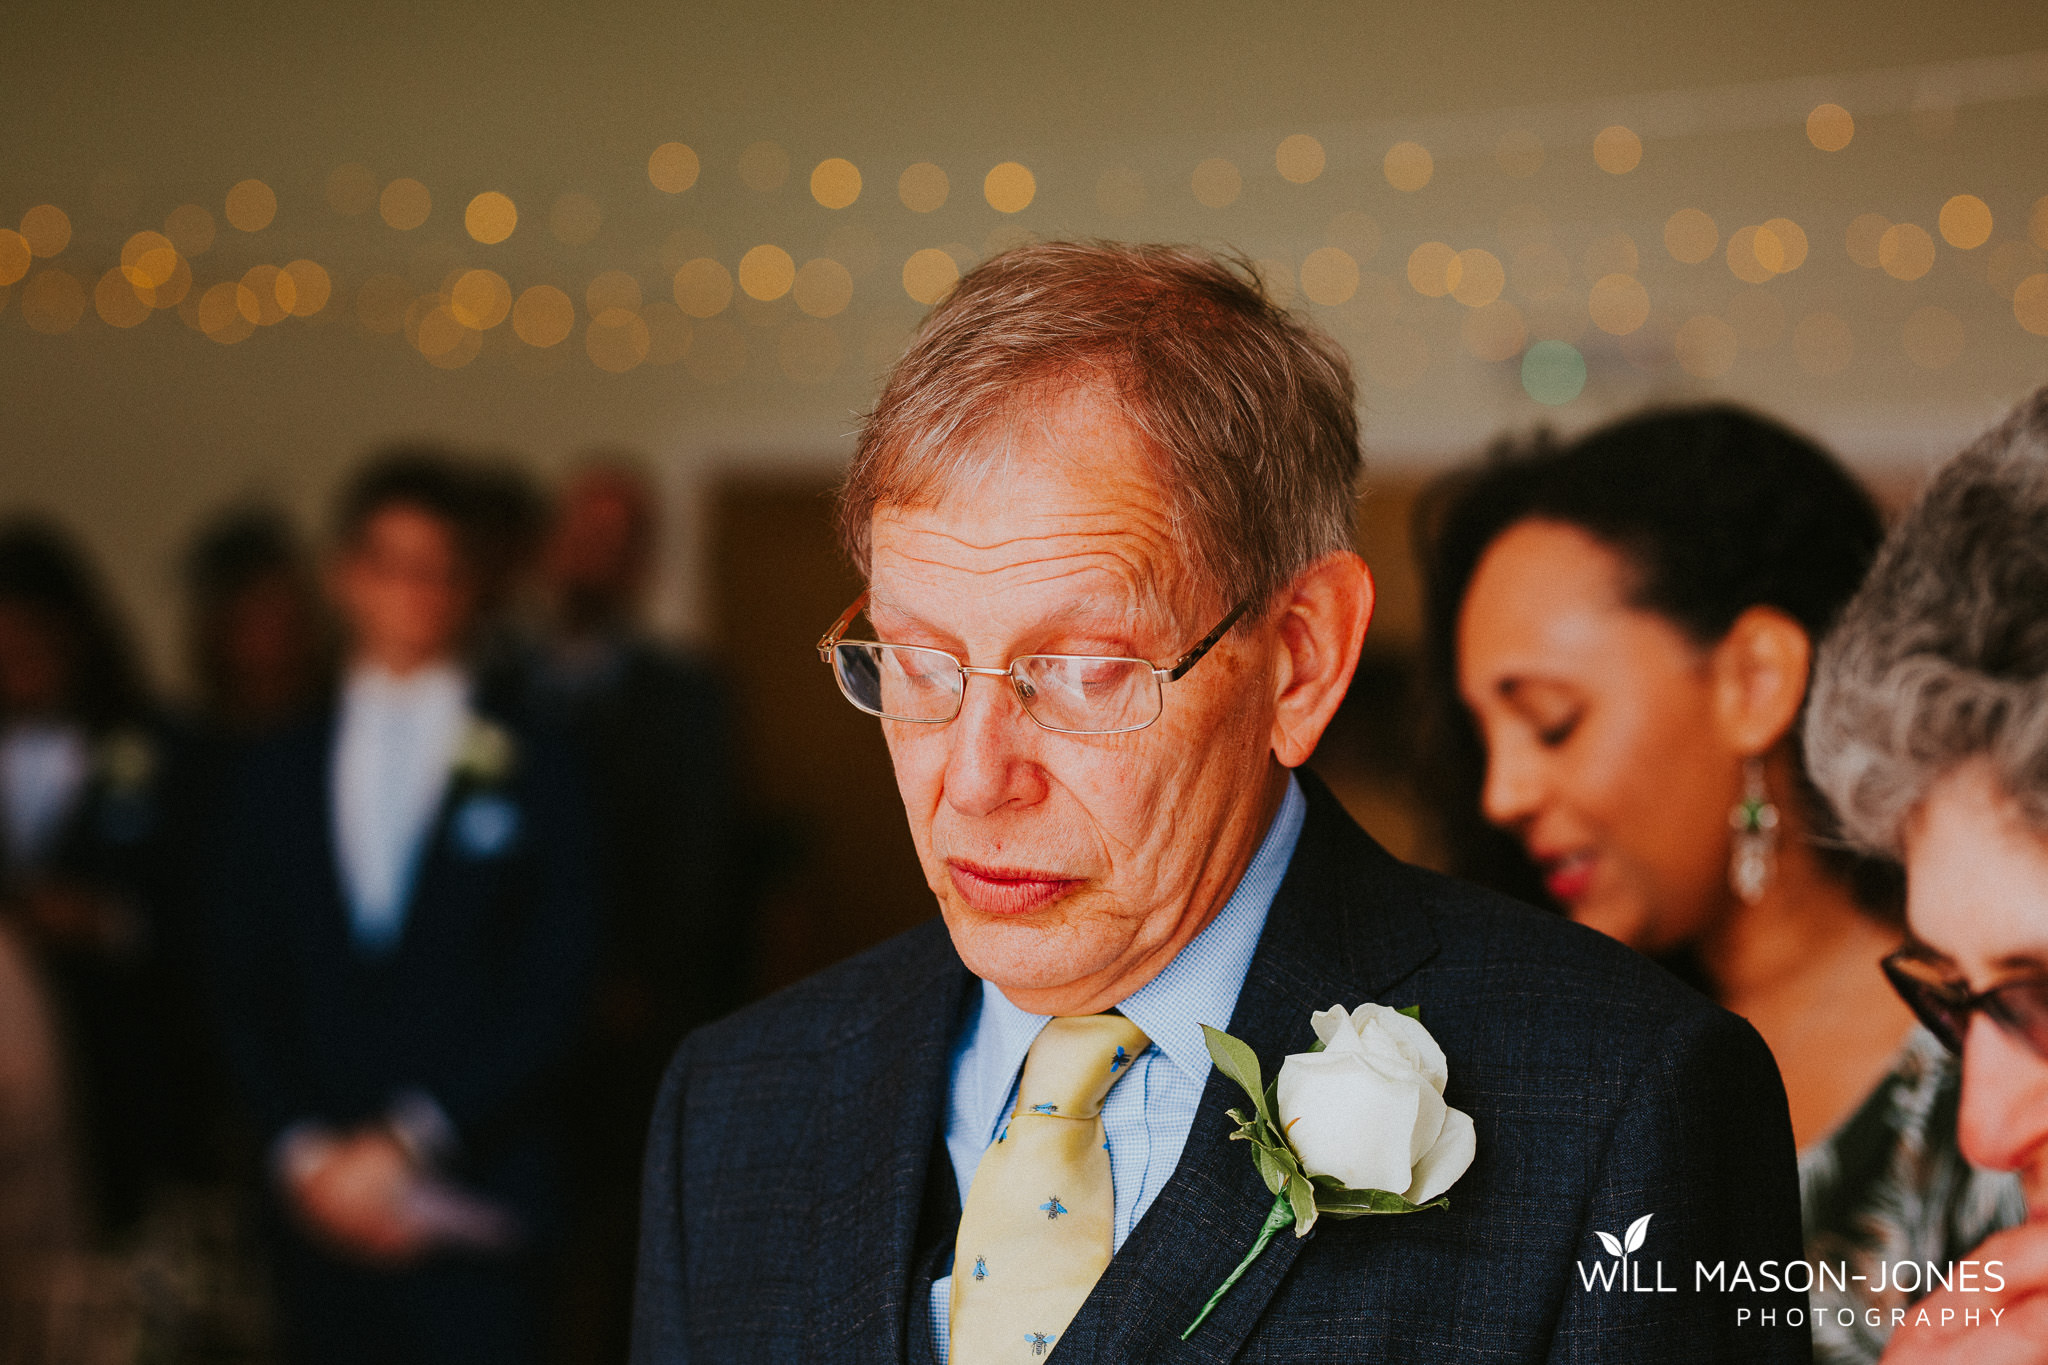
pixel 1150 1112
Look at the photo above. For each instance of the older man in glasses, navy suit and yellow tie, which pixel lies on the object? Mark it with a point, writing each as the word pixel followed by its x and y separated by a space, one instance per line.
pixel 1105 513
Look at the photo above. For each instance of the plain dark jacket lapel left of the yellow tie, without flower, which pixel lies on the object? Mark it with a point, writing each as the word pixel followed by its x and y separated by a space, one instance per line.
pixel 876 1145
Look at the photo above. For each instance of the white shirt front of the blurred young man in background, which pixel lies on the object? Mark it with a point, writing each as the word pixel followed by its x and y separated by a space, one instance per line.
pixel 394 750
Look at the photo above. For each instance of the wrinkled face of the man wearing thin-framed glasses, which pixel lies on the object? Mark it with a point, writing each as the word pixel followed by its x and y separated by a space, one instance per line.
pixel 1070 869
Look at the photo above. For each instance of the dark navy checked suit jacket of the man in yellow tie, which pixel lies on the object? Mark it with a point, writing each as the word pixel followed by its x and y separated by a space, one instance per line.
pixel 794 1157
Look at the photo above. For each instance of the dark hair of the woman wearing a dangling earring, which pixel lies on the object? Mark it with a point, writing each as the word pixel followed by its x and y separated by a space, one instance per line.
pixel 1715 511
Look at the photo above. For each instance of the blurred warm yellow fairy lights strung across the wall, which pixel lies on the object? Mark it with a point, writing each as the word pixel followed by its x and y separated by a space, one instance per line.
pixel 1525 304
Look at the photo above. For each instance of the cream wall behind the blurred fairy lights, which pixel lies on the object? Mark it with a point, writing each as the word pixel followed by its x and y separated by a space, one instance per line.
pixel 120 114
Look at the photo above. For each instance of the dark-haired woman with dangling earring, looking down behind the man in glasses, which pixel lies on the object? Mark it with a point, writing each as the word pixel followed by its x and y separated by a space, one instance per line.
pixel 1621 633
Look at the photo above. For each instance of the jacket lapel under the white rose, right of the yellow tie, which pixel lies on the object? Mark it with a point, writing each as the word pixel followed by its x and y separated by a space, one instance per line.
pixel 1330 930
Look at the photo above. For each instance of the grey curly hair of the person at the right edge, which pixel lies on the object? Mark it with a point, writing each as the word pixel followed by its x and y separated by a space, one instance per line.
pixel 1943 656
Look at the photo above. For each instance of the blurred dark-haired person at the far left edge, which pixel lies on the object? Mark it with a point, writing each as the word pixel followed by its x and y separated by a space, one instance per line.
pixel 81 756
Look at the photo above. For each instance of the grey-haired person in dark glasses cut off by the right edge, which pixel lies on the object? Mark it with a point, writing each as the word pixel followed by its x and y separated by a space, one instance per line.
pixel 1928 730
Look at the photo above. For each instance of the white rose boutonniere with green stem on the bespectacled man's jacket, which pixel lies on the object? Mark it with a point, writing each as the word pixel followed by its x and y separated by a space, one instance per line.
pixel 1353 1127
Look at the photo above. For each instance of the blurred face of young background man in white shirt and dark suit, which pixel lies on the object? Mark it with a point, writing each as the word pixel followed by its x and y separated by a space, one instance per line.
pixel 404 588
